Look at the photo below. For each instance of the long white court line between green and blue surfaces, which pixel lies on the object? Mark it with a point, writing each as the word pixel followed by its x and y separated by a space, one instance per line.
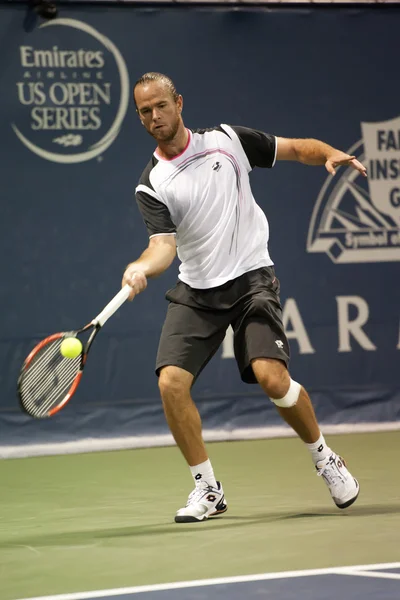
pixel 218 581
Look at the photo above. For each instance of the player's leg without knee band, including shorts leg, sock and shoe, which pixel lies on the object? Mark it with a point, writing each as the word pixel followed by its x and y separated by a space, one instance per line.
pixel 188 341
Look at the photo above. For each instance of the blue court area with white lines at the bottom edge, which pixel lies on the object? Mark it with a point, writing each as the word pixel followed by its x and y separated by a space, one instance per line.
pixel 349 583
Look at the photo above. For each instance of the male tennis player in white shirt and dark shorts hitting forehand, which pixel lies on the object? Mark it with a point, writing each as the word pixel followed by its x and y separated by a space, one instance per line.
pixel 196 201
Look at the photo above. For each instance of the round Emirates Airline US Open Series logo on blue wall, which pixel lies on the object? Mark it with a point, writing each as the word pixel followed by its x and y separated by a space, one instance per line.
pixel 69 111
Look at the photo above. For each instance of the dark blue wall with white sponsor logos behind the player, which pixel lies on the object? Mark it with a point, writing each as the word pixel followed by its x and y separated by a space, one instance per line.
pixel 69 224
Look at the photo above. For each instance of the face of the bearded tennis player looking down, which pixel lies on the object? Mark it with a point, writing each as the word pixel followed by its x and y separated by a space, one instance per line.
pixel 158 111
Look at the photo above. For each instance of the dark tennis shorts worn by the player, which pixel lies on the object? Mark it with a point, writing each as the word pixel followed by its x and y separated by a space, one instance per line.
pixel 197 321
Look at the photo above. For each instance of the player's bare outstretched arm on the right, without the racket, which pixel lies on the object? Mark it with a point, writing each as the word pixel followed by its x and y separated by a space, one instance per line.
pixel 315 152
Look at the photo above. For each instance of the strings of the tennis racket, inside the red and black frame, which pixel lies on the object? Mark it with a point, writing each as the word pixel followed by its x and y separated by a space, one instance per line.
pixel 47 379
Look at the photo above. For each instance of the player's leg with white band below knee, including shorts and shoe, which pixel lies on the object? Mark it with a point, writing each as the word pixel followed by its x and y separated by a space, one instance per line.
pixel 262 353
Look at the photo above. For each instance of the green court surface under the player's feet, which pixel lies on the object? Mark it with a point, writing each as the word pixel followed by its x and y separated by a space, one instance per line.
pixel 105 520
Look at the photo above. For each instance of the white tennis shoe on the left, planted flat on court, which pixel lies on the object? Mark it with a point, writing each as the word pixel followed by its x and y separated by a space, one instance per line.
pixel 203 502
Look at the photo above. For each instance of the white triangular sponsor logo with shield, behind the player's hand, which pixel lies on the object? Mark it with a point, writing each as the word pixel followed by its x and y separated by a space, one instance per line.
pixel 357 219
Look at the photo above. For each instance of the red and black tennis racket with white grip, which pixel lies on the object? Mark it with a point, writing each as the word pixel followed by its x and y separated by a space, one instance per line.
pixel 48 380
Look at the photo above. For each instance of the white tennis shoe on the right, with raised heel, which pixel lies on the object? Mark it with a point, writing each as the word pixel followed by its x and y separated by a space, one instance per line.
pixel 342 485
